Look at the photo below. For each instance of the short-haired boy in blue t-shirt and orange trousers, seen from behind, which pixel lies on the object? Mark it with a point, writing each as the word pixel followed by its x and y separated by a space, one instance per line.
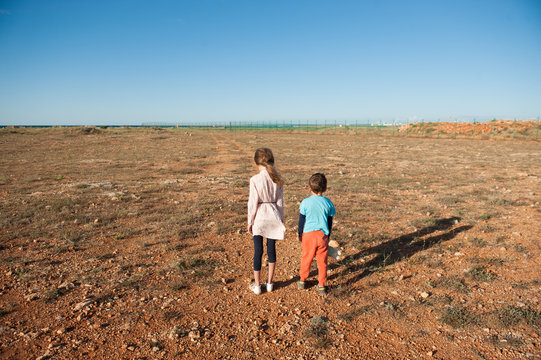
pixel 315 225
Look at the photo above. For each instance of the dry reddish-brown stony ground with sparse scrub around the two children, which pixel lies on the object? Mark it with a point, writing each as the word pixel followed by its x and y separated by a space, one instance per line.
pixel 130 244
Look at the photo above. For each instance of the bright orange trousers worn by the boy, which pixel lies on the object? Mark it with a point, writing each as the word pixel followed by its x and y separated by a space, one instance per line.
pixel 314 244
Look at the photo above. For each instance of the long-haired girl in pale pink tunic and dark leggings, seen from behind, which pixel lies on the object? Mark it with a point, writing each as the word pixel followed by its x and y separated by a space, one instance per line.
pixel 265 214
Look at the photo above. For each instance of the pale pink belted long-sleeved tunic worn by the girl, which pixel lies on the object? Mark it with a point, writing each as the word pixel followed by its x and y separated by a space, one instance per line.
pixel 266 207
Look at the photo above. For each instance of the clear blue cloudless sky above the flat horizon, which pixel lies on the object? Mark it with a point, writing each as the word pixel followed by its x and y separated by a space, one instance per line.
pixel 83 62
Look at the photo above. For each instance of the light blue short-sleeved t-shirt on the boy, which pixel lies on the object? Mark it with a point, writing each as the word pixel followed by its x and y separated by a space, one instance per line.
pixel 317 209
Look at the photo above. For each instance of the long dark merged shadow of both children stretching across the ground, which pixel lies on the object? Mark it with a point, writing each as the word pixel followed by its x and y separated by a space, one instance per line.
pixel 391 251
